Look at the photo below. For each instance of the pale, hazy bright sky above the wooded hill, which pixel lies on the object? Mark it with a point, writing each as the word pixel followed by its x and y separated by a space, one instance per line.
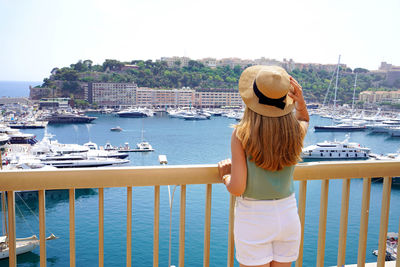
pixel 38 35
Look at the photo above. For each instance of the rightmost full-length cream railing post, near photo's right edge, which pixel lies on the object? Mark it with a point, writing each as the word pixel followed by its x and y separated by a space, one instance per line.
pixel 387 183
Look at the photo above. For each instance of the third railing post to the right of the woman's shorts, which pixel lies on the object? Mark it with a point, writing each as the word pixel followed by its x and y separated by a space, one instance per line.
pixel 344 214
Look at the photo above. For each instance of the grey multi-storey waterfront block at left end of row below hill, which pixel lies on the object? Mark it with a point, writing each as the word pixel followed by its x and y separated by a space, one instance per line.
pixel 111 94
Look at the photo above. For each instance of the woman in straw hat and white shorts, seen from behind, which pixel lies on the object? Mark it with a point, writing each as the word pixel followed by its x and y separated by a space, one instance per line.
pixel 266 146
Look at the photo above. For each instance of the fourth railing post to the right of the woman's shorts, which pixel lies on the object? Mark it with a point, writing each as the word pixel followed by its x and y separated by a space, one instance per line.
pixel 362 243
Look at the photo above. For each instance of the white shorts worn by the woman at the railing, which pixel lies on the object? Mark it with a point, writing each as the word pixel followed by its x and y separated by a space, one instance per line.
pixel 266 230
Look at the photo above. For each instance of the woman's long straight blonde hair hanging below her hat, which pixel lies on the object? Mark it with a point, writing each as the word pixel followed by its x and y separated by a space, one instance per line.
pixel 271 142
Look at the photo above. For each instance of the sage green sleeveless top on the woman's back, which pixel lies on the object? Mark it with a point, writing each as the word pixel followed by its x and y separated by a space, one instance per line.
pixel 263 184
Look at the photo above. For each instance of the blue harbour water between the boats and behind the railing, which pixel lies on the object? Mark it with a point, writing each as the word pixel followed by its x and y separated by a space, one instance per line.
pixel 186 142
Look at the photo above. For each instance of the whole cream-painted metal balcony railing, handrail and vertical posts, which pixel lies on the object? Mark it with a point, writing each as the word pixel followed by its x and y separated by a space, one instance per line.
pixel 129 177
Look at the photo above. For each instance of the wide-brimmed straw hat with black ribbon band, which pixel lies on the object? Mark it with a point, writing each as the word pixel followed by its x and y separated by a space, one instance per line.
pixel 264 90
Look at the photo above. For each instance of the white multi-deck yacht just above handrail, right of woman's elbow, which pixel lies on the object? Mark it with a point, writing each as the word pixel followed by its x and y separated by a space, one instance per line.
pixel 335 150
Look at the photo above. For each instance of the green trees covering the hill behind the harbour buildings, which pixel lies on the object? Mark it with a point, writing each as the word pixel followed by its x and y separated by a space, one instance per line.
pixel 70 80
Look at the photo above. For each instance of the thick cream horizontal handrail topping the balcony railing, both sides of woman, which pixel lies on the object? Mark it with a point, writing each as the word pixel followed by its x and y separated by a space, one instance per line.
pixel 12 180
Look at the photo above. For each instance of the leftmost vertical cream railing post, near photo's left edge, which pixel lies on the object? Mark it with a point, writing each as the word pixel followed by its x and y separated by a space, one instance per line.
pixel 11 229
